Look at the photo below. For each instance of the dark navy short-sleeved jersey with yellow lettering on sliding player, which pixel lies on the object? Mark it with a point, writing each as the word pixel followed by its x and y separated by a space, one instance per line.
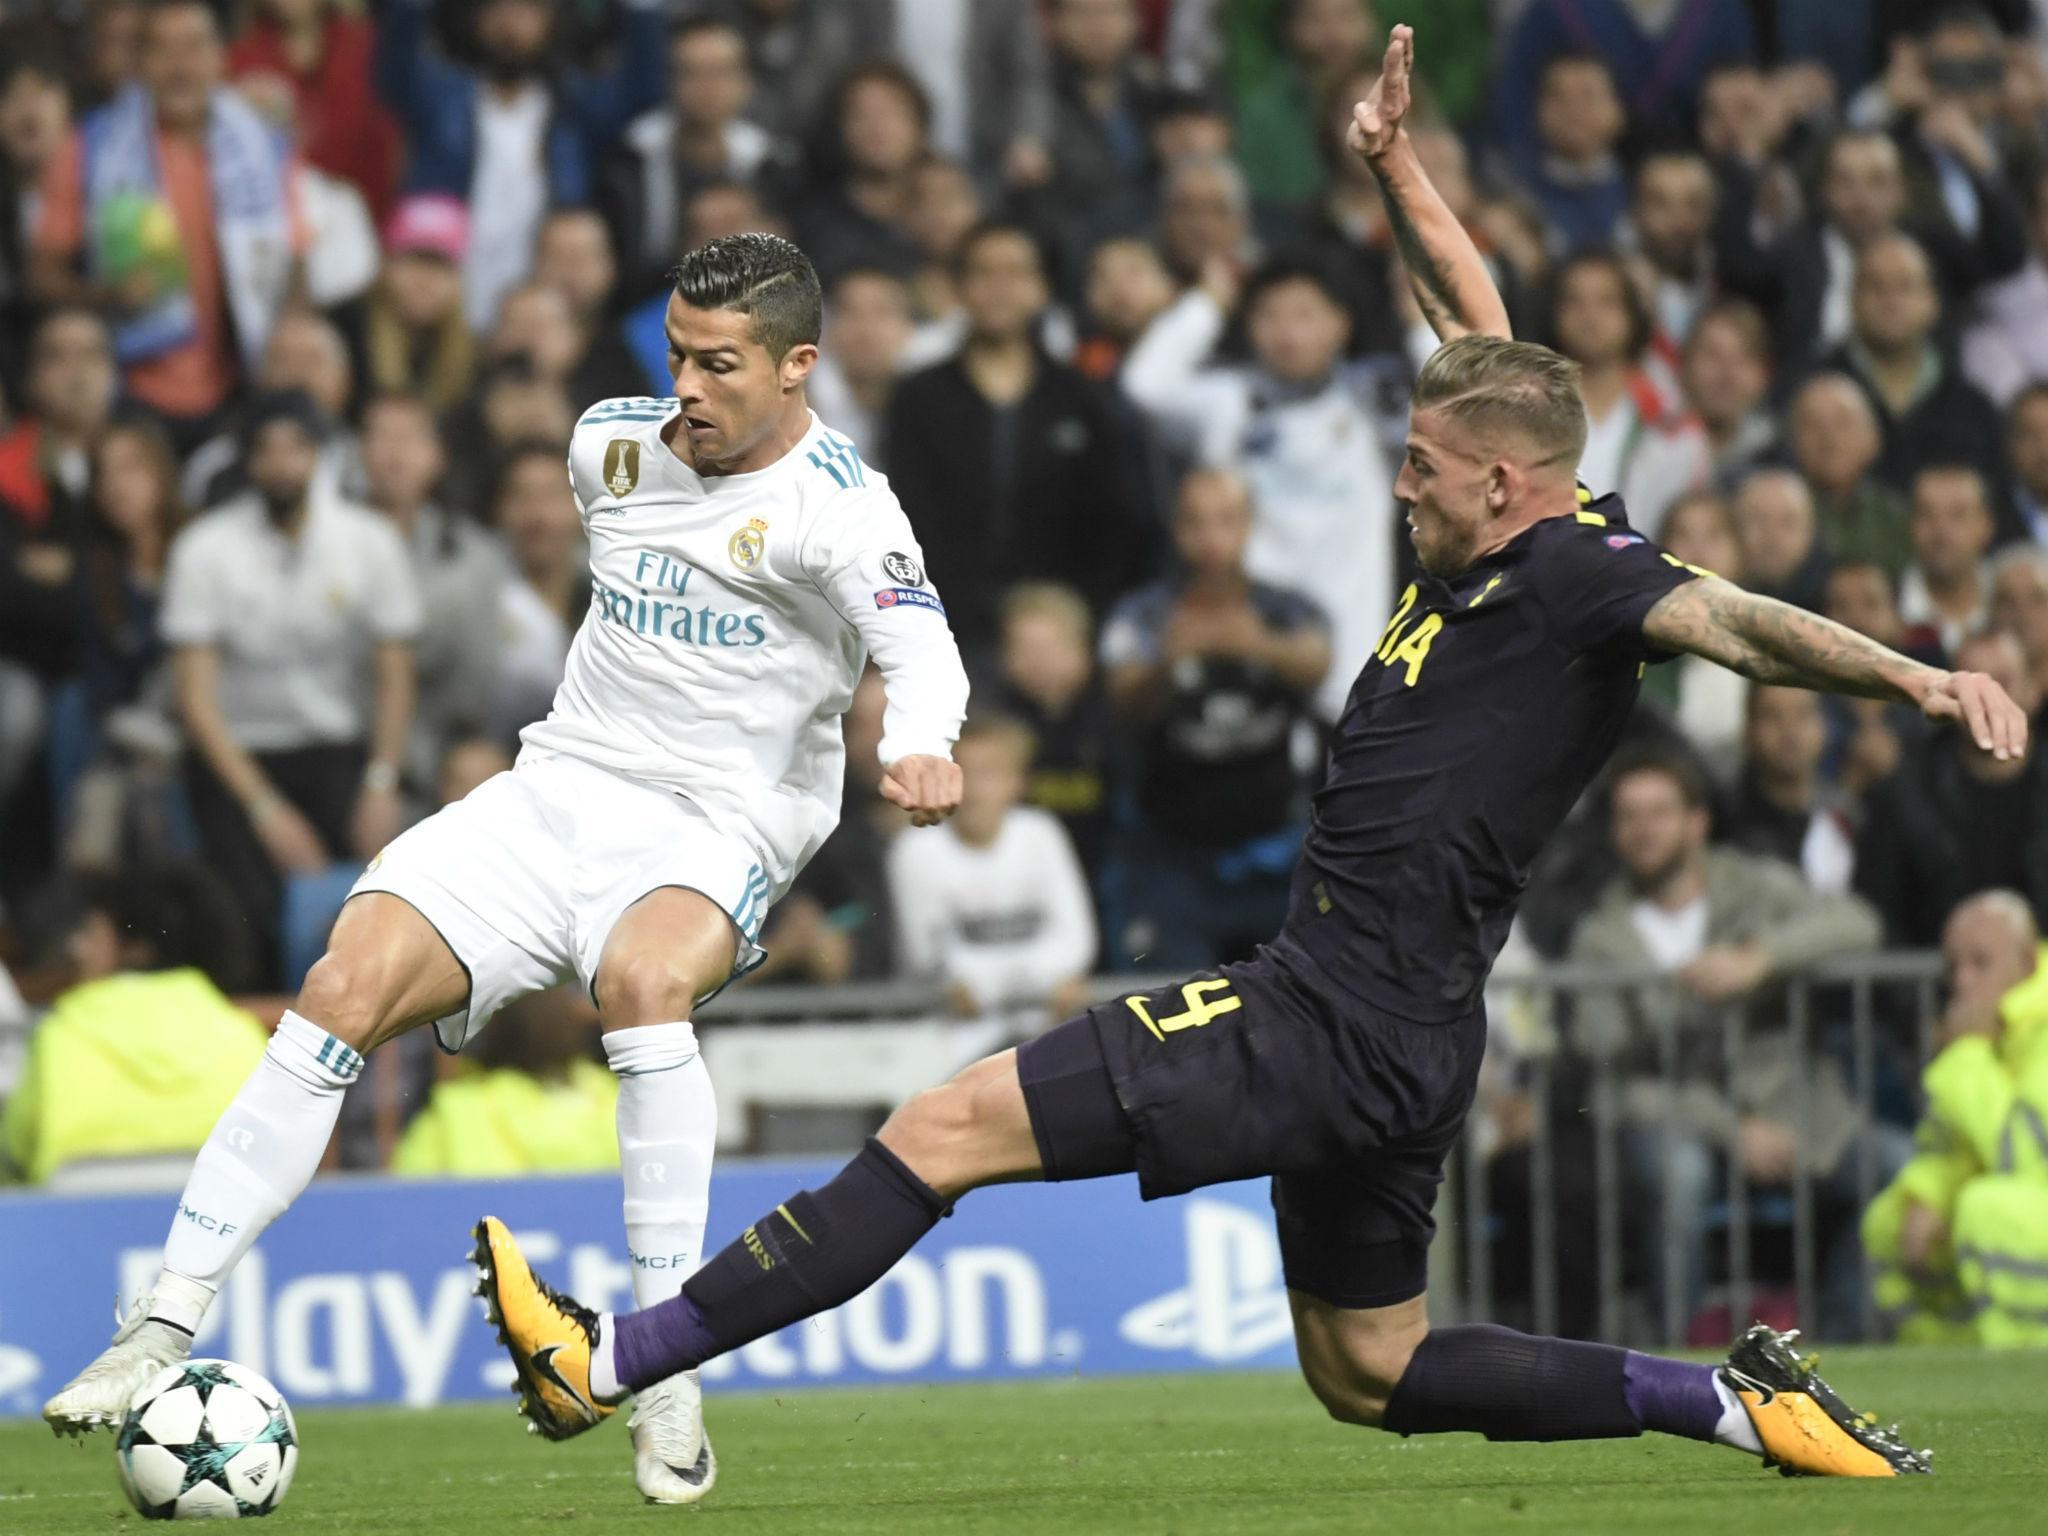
pixel 1486 710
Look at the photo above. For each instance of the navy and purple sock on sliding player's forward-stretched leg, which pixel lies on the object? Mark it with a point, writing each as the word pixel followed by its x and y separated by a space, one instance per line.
pixel 810 1254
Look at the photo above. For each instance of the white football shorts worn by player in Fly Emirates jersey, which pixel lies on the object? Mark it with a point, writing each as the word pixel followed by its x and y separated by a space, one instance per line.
pixel 531 871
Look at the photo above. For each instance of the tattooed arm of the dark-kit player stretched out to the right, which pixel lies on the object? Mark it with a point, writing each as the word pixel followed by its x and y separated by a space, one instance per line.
pixel 1773 642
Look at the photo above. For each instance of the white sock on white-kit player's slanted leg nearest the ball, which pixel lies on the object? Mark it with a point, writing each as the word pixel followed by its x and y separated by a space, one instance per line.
pixel 257 1160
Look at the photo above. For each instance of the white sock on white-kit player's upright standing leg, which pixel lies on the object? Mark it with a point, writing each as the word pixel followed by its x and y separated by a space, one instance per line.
pixel 669 1123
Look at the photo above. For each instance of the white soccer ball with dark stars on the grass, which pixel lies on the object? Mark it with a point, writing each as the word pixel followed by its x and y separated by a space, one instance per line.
pixel 206 1441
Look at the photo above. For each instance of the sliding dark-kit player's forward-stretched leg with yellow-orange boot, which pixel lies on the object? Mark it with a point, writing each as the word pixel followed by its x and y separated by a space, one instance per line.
pixel 818 1248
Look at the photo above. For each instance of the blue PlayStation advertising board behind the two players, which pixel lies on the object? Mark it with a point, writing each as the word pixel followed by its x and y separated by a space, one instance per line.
pixel 361 1293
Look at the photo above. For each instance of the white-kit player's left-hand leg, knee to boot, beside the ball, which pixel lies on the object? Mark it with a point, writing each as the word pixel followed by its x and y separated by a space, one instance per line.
pixel 386 970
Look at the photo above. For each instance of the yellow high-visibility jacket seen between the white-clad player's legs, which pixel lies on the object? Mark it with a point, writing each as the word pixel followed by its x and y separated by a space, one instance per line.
pixel 501 1123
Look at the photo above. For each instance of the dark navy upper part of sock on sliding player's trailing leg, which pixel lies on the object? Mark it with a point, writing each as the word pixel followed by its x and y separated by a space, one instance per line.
pixel 1512 1388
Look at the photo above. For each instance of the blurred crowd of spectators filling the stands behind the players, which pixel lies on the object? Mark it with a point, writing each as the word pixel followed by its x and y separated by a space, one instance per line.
pixel 300 302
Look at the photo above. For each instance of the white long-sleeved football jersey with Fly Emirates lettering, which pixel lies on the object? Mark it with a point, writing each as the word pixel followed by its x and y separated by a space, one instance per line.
pixel 730 620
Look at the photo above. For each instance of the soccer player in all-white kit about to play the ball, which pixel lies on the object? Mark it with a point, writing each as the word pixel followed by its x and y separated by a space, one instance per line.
pixel 744 566
